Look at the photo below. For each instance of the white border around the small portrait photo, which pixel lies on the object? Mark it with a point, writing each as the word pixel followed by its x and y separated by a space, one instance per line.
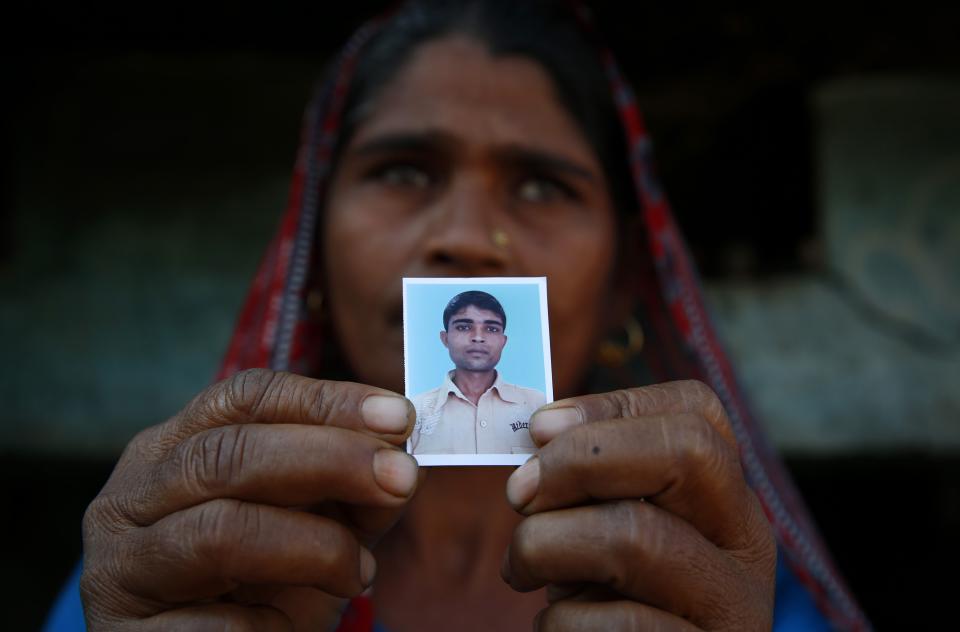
pixel 492 458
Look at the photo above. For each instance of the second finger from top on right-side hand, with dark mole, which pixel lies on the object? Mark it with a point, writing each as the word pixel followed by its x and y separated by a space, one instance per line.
pixel 678 462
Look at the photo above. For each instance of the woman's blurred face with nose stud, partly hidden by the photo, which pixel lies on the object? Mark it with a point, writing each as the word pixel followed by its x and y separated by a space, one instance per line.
pixel 467 165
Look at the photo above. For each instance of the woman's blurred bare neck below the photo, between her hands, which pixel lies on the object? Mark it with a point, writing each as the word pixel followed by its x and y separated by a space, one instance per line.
pixel 443 558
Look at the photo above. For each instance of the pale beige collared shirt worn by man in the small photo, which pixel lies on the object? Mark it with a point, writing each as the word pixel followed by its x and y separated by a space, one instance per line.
pixel 449 423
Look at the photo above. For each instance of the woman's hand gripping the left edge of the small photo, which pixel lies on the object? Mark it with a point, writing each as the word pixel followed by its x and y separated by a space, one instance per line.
pixel 254 508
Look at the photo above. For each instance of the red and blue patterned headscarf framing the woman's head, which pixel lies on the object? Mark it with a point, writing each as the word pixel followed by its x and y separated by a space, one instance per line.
pixel 273 329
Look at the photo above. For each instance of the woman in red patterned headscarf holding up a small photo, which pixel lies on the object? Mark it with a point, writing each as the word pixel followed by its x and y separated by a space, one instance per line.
pixel 464 139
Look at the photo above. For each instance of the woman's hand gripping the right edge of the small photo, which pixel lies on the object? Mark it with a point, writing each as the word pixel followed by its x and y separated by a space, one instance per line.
pixel 638 516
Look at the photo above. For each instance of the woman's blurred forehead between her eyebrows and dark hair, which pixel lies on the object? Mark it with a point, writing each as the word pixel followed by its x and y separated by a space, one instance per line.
pixel 455 88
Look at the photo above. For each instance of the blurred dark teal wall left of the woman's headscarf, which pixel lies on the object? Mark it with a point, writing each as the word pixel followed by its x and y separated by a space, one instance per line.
pixel 146 189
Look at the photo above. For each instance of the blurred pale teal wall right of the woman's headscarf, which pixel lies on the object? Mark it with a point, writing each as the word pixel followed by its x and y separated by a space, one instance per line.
pixel 862 352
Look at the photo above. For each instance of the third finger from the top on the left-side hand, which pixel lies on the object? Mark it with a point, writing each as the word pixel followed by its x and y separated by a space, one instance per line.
pixel 211 549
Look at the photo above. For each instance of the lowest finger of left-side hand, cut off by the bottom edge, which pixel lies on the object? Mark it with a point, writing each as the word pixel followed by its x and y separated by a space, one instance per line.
pixel 219 617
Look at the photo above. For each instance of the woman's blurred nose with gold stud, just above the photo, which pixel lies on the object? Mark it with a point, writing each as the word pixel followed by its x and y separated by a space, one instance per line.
pixel 461 231
